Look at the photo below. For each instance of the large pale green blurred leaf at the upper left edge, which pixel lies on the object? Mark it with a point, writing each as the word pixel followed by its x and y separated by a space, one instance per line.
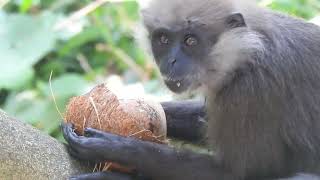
pixel 24 41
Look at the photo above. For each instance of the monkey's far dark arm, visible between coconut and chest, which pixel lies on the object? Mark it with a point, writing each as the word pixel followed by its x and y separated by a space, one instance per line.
pixel 186 120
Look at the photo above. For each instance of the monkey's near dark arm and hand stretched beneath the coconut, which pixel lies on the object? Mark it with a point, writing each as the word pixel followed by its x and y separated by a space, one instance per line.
pixel 154 160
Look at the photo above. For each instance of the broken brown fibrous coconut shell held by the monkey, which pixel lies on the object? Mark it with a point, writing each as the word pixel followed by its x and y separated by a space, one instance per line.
pixel 101 109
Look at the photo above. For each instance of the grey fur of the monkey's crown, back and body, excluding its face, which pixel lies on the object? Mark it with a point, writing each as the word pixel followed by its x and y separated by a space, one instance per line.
pixel 264 95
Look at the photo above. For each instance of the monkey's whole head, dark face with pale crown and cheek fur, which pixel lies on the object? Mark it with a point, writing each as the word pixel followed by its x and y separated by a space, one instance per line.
pixel 184 35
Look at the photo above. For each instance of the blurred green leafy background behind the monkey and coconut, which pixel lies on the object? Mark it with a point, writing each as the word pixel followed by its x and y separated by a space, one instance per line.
pixel 83 43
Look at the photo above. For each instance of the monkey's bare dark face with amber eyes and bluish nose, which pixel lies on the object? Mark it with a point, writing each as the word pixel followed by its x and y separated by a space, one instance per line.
pixel 179 55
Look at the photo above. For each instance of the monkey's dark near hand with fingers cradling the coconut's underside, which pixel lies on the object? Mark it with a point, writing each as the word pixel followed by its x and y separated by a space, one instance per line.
pixel 97 146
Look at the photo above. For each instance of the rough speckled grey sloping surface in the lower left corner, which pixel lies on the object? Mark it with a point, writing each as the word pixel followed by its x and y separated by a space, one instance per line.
pixel 26 153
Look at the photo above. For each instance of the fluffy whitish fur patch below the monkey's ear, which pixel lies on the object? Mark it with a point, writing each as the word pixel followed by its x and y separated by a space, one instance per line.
pixel 233 49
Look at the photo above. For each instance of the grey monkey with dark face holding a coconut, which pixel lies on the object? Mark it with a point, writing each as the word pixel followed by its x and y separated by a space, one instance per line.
pixel 260 73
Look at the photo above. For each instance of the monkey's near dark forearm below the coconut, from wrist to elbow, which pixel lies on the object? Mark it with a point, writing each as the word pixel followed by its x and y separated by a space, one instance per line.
pixel 163 162
